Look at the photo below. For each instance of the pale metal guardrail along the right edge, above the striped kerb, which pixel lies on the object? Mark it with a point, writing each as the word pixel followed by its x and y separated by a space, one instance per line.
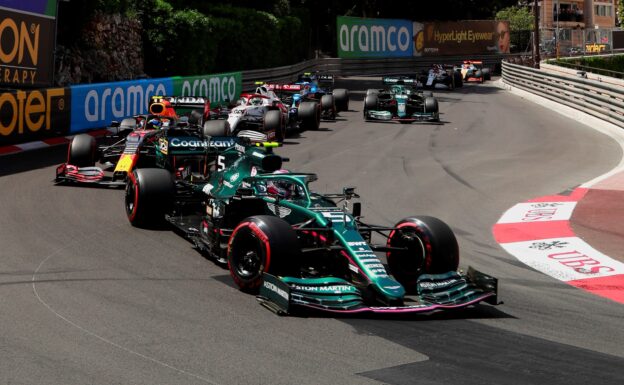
pixel 593 97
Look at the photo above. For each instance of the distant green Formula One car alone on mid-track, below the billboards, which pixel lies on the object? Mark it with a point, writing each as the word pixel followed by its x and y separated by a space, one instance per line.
pixel 400 101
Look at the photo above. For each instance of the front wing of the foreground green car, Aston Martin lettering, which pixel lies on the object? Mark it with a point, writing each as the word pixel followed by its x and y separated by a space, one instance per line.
pixel 452 290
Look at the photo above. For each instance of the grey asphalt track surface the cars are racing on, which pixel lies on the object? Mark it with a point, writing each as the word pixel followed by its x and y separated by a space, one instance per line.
pixel 86 298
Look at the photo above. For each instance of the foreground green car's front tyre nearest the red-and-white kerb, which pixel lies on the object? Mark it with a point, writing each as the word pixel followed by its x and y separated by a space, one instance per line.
pixel 431 249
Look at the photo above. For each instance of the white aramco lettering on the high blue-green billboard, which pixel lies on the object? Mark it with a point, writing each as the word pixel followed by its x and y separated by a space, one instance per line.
pixel 374 38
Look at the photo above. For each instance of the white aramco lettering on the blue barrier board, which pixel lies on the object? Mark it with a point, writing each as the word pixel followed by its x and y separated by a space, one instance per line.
pixel 120 101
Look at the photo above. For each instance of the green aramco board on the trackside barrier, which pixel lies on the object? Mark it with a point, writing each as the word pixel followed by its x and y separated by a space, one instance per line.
pixel 219 88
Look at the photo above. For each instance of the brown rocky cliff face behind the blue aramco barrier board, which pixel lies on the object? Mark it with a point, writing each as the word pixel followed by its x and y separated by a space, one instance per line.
pixel 109 48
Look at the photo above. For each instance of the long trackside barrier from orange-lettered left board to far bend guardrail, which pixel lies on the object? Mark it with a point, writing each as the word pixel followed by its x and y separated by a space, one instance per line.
pixel 92 106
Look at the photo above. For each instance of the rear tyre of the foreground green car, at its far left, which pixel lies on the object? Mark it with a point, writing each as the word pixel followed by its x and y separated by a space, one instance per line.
pixel 149 196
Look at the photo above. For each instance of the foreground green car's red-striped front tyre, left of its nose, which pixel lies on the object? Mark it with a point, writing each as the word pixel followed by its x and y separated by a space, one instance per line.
pixel 261 243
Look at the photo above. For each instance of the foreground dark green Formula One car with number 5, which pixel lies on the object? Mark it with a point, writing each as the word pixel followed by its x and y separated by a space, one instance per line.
pixel 299 249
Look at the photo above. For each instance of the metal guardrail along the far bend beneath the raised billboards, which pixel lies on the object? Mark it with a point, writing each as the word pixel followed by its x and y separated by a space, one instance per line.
pixel 361 67
